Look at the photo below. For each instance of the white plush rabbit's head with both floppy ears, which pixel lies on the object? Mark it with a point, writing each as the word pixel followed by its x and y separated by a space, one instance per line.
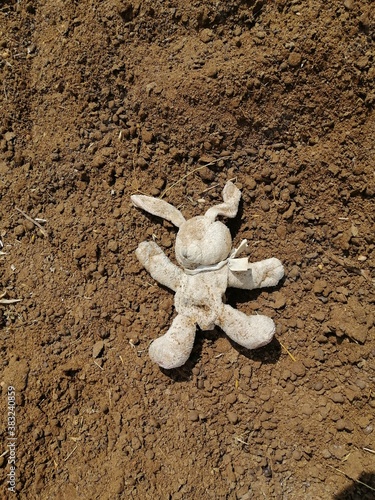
pixel 201 241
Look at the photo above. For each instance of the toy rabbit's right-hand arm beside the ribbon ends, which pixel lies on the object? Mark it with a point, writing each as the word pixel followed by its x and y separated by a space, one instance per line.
pixel 259 275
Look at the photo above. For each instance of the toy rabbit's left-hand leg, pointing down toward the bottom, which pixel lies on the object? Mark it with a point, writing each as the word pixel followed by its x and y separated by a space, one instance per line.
pixel 174 347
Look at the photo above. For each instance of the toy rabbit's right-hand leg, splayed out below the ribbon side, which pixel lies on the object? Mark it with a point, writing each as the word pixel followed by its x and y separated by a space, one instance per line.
pixel 249 331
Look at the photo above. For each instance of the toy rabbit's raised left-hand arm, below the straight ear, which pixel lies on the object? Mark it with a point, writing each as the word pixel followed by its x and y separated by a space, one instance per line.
pixel 152 257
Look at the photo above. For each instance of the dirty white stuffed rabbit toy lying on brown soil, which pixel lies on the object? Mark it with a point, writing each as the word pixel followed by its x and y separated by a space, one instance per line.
pixel 208 267
